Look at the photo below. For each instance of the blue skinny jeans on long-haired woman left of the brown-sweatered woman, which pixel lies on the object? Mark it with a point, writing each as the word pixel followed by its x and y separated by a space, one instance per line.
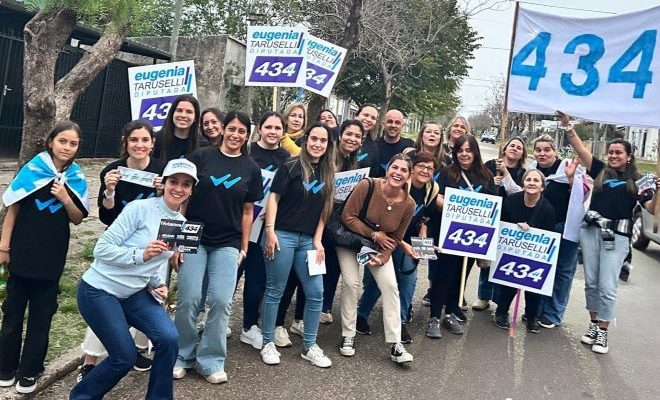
pixel 293 253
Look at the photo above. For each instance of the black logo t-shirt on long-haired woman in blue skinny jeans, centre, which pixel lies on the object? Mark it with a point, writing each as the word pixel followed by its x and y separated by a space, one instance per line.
pixel 301 203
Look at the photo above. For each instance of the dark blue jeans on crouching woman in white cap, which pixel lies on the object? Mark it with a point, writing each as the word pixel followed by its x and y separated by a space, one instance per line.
pixel 110 318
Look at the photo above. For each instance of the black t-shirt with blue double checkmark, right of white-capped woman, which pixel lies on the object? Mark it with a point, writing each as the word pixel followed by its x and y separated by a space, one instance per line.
pixel 225 184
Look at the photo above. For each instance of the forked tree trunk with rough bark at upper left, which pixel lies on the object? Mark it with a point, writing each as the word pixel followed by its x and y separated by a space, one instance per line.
pixel 47 101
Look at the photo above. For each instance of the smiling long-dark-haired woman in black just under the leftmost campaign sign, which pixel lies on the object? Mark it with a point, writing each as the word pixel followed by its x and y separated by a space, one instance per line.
pixel 178 136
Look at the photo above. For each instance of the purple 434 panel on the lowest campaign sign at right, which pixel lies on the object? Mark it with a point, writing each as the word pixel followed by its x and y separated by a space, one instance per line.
pixel 522 271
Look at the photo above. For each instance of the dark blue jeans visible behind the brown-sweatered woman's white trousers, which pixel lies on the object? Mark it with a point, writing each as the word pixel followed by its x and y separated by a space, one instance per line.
pixel 405 269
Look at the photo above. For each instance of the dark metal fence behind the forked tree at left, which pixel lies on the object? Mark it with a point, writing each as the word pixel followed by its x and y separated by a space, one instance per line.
pixel 100 111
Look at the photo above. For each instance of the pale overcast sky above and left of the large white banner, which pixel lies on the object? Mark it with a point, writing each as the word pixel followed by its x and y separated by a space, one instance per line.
pixel 495 25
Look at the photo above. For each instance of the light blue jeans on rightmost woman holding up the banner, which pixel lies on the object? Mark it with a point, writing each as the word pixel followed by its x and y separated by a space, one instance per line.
pixel 601 270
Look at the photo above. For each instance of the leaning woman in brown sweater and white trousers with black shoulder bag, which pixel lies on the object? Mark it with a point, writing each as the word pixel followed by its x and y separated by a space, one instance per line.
pixel 389 209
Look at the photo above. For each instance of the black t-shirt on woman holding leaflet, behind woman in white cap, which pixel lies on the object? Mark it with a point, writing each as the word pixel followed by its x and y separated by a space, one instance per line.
pixel 125 192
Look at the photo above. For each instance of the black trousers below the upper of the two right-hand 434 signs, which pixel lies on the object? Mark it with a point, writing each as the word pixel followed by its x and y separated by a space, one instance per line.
pixel 446 283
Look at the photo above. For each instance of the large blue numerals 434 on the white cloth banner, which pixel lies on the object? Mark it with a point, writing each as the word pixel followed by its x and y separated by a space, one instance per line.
pixel 643 46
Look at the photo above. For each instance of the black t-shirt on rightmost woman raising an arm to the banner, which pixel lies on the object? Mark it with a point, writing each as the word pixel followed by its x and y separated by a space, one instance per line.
pixel 614 201
